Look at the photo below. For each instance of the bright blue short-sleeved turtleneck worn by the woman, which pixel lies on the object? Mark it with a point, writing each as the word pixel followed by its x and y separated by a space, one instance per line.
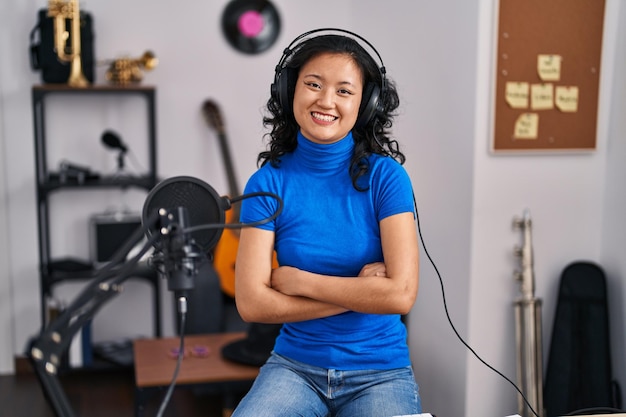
pixel 328 227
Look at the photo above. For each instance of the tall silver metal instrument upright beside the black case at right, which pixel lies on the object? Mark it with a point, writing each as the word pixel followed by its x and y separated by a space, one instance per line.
pixel 528 327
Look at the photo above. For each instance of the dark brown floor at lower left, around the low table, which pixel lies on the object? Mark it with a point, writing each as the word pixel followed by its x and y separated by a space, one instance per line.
pixel 101 394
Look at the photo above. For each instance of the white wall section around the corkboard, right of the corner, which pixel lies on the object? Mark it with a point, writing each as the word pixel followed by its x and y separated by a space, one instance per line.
pixel 566 196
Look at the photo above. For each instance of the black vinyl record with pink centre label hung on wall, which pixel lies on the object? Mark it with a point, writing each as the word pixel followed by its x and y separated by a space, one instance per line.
pixel 250 26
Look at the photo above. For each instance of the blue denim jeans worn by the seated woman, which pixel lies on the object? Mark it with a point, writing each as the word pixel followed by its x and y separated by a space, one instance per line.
pixel 289 388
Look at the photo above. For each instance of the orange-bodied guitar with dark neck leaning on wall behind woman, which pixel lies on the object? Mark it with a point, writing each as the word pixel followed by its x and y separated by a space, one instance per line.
pixel 225 252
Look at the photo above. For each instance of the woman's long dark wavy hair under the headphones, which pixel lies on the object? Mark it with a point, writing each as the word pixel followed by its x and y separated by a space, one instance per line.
pixel 372 137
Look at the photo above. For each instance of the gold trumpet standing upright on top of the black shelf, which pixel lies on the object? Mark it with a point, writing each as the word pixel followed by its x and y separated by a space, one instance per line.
pixel 61 10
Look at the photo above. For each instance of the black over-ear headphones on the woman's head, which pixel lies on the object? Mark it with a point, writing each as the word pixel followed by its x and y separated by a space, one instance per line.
pixel 285 79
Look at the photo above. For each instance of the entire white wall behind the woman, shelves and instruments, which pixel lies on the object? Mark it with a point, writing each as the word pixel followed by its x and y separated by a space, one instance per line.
pixel 440 54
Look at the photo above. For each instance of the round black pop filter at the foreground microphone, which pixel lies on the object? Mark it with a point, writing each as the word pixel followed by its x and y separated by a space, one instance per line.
pixel 204 206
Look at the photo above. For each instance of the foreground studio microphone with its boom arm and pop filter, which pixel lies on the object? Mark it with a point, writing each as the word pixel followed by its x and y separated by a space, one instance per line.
pixel 177 260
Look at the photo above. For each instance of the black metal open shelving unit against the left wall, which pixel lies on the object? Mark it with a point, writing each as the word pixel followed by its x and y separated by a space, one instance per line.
pixel 49 182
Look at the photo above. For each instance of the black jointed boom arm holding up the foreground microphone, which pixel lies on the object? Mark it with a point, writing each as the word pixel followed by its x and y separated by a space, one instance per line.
pixel 47 349
